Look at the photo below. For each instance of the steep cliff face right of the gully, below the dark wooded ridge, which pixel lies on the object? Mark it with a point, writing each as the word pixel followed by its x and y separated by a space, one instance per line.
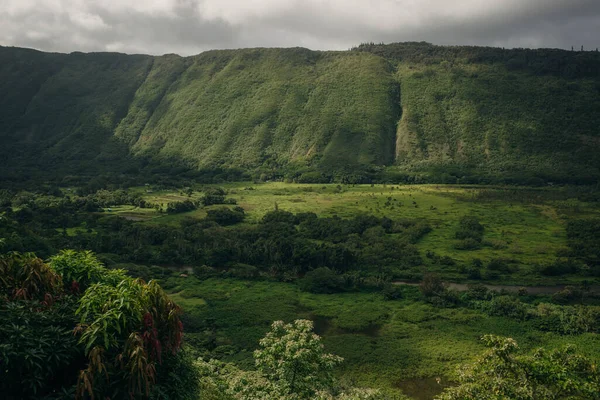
pixel 483 117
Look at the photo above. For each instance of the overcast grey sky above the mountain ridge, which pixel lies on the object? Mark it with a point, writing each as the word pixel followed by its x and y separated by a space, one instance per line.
pixel 191 26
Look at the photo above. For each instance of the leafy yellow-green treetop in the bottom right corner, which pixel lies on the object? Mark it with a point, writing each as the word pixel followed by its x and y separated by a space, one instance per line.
pixel 503 373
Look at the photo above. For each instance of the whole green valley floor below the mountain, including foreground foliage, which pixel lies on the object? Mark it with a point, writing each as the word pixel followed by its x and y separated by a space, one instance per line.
pixel 236 260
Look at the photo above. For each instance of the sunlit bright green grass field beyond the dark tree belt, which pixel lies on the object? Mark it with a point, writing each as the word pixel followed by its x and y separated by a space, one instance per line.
pixel 526 231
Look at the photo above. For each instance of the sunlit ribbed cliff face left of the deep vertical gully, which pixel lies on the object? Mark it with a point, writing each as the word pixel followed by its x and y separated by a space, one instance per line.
pixel 249 107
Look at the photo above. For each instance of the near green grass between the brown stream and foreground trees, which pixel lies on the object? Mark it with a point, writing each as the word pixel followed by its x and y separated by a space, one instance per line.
pixel 385 344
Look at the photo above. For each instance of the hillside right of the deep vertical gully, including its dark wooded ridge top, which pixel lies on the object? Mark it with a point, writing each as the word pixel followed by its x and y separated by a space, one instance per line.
pixel 500 112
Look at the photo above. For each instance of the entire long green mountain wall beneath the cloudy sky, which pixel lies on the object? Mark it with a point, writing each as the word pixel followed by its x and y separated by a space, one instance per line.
pixel 466 113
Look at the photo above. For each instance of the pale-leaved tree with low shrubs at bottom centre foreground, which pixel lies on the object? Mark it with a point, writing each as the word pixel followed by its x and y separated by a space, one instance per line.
pixel 291 365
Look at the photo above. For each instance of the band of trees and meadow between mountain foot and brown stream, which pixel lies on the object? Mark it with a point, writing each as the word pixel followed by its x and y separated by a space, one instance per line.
pixel 383 233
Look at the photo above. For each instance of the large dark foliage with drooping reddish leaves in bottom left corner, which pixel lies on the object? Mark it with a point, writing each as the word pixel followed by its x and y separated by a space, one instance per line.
pixel 123 328
